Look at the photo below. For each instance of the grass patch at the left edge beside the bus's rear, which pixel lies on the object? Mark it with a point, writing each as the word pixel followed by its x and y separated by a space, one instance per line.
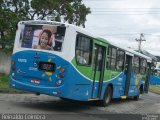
pixel 4 85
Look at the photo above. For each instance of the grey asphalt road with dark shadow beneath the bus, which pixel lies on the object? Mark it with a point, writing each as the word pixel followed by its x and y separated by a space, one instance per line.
pixel 60 109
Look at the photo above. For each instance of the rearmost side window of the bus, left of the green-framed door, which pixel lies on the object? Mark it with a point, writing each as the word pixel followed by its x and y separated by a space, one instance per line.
pixel 83 50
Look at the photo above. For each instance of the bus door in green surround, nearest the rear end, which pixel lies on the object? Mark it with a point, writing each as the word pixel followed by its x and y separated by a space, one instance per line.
pixel 98 70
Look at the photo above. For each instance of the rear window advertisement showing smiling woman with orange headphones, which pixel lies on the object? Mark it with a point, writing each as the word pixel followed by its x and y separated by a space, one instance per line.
pixel 45 37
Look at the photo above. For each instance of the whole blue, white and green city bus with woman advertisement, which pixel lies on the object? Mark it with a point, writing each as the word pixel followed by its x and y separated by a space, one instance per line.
pixel 67 61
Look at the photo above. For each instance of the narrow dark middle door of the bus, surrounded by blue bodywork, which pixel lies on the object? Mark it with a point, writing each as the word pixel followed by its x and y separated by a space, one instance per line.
pixel 128 74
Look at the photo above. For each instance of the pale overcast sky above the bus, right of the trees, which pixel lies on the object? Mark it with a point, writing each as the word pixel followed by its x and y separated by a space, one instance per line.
pixel 121 21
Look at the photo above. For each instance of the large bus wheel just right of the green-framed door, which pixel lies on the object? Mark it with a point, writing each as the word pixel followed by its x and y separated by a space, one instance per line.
pixel 107 97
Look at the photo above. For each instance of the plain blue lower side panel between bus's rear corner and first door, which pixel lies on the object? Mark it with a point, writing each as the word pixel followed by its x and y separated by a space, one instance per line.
pixel 79 87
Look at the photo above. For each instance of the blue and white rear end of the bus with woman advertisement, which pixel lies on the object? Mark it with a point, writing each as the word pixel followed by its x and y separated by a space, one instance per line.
pixel 38 64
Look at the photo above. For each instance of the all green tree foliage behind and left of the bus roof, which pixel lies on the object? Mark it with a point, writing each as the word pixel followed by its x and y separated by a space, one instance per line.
pixel 12 11
